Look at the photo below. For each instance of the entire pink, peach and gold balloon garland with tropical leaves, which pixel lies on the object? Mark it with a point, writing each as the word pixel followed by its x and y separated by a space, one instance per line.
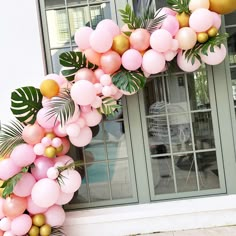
pixel 37 176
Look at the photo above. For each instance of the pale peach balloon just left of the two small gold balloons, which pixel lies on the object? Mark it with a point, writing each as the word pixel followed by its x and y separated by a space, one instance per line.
pixel 186 37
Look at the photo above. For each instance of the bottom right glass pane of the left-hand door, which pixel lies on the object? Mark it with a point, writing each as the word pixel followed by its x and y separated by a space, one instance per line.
pixel 120 179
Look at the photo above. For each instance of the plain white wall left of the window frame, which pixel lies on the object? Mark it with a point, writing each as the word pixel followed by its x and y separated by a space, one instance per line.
pixel 21 59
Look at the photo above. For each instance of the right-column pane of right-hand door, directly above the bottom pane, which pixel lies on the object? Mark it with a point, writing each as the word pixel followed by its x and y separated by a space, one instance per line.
pixel 203 130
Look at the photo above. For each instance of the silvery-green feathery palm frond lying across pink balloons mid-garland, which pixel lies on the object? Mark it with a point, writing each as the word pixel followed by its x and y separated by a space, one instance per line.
pixel 61 107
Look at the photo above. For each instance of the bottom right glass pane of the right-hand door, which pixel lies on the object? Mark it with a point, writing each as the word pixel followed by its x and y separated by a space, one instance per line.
pixel 207 170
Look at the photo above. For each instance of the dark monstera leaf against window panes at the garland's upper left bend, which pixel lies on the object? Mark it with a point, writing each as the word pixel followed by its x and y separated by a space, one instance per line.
pixel 73 61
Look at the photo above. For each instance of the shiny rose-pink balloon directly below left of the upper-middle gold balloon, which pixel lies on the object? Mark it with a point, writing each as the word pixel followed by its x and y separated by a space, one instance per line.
pixel 110 62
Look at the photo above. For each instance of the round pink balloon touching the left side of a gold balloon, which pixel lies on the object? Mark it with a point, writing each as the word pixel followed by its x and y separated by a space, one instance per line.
pixel 99 45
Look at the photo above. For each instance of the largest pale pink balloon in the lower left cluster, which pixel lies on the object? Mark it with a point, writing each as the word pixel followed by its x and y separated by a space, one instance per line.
pixel 45 192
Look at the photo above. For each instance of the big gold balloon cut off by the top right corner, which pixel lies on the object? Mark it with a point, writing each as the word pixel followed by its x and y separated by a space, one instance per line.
pixel 223 6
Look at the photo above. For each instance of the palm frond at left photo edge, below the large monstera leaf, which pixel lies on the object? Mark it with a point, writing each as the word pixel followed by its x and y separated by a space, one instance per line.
pixel 10 137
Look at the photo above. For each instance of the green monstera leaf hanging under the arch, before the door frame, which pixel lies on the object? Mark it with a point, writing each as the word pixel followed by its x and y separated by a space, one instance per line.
pixel 129 81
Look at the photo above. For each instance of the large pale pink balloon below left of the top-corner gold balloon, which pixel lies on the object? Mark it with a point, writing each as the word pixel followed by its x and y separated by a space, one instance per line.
pixel 201 20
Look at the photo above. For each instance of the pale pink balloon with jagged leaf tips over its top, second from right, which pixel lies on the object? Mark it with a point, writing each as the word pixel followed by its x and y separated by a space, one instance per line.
pixel 187 65
